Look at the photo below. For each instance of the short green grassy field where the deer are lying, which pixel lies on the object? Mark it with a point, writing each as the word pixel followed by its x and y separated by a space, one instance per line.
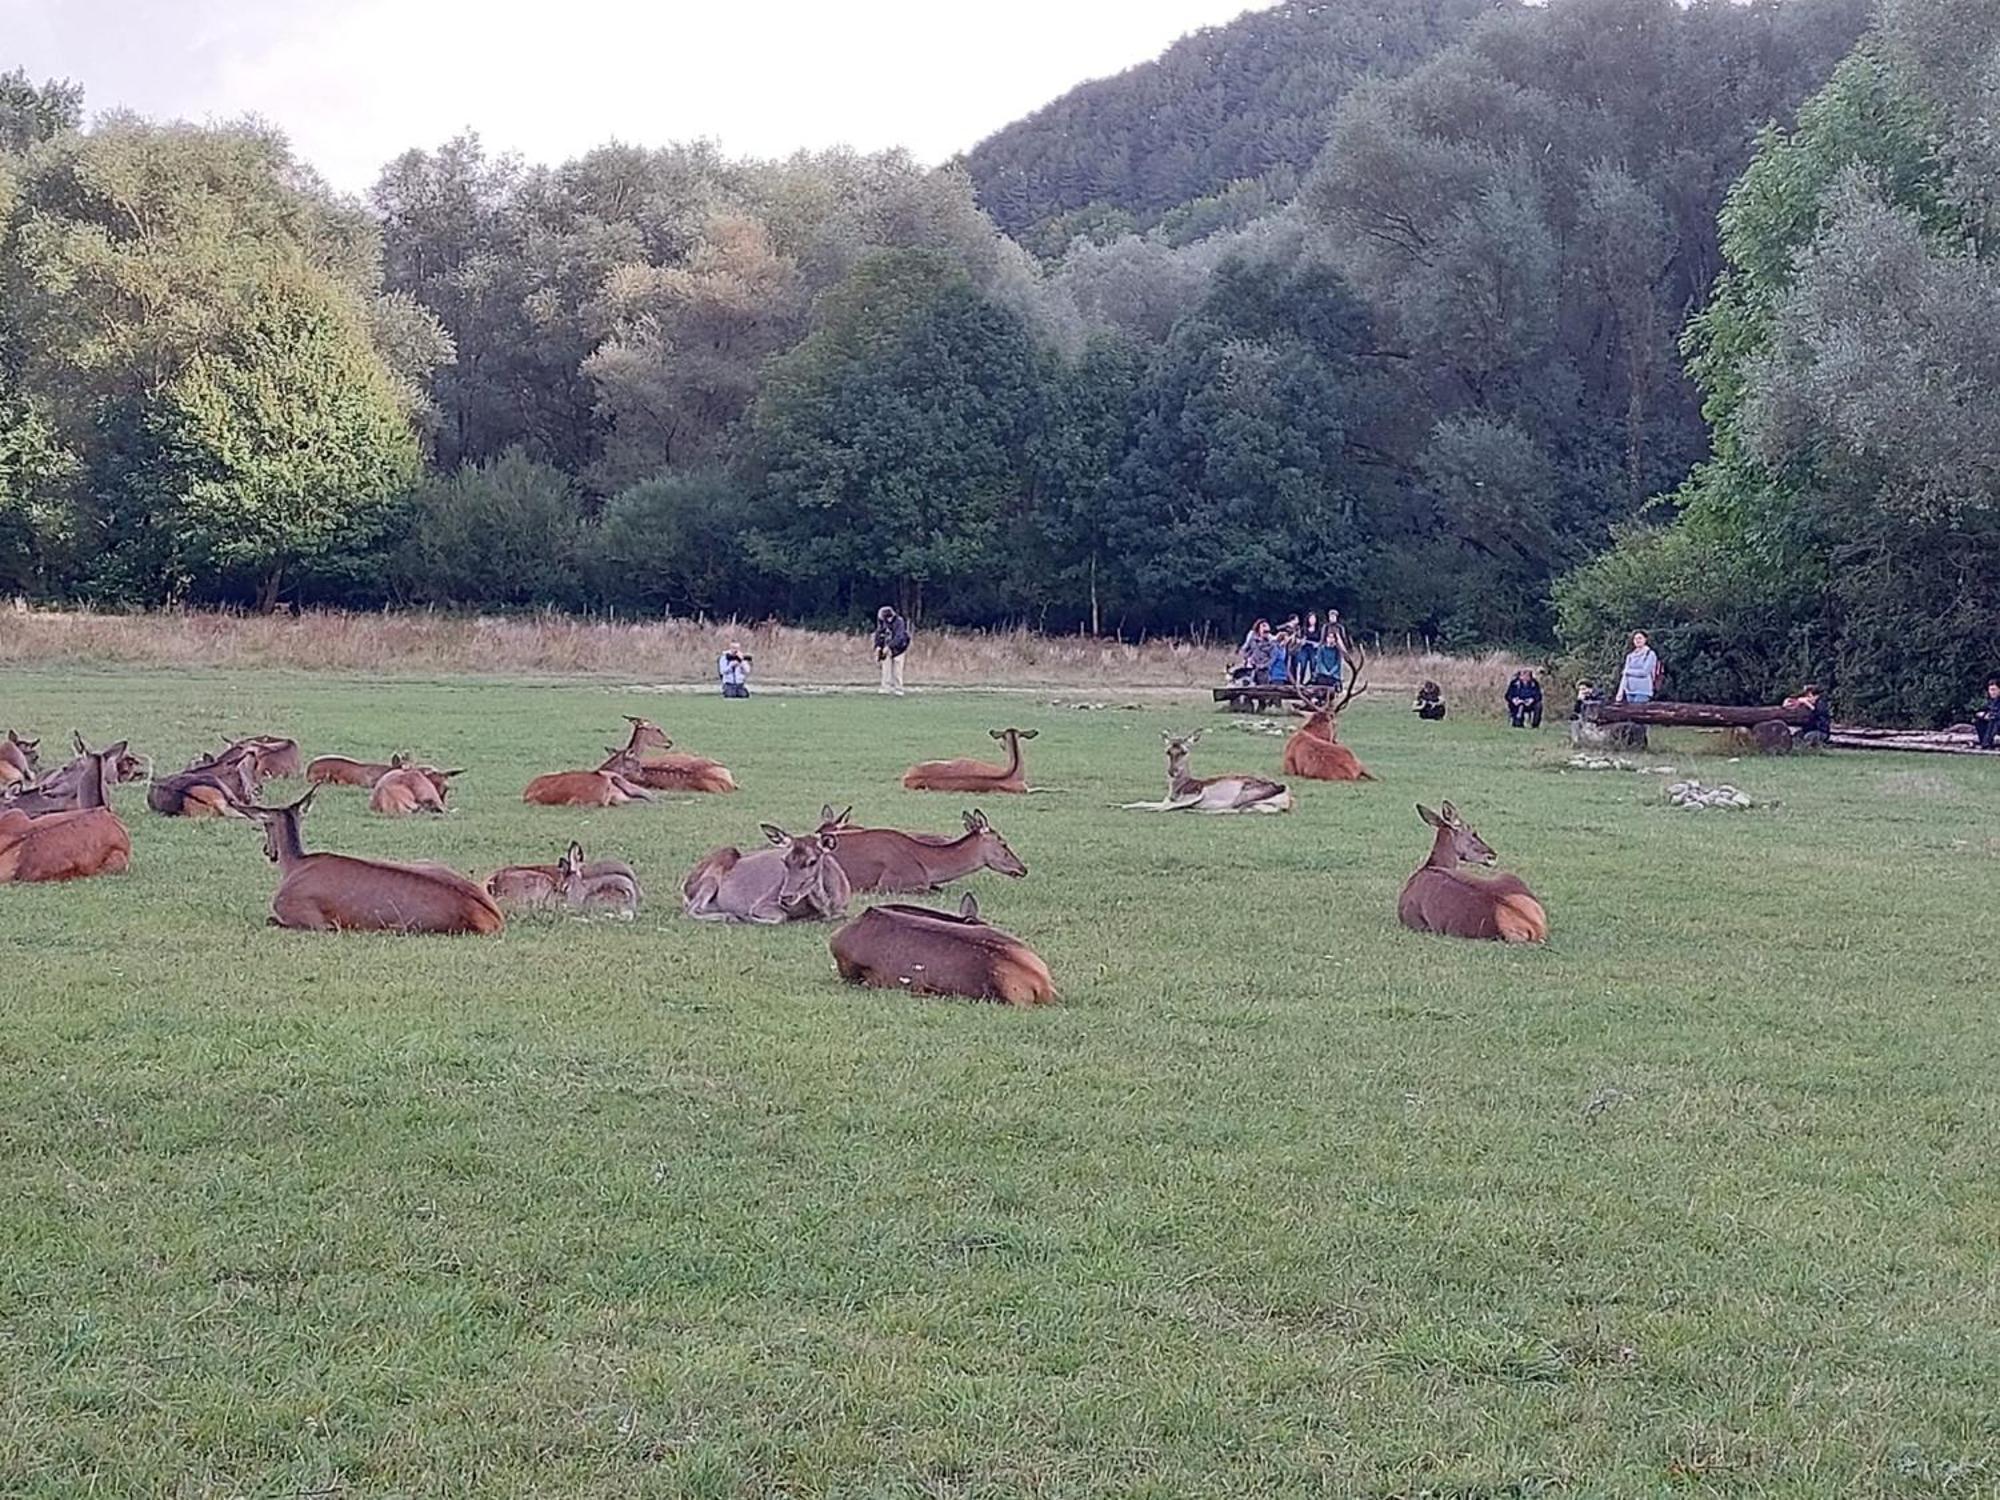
pixel 1281 1201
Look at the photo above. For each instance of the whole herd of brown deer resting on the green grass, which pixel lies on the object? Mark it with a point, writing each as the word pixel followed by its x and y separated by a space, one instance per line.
pixel 63 827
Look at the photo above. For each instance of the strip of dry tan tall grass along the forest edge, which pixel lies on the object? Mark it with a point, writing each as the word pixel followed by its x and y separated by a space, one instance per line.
pixel 661 651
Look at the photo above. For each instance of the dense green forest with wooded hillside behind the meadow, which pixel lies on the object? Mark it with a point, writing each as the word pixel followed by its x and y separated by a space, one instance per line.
pixel 1471 319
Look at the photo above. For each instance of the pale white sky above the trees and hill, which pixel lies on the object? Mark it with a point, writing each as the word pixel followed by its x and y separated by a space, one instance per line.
pixel 355 83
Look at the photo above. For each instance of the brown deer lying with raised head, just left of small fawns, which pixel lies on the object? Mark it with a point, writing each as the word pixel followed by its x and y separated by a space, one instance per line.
pixel 339 893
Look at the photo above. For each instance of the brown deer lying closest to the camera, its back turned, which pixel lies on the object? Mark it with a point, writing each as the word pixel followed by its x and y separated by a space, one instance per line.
pixel 921 951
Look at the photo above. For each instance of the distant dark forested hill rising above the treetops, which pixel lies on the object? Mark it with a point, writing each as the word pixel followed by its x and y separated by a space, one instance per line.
pixel 1227 105
